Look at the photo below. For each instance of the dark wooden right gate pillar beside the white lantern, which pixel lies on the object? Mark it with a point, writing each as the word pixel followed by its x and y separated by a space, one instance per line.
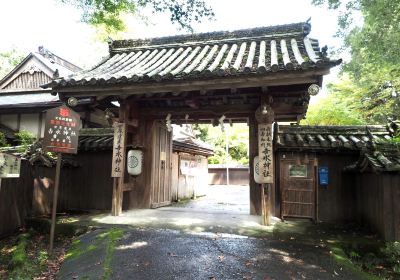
pixel 255 189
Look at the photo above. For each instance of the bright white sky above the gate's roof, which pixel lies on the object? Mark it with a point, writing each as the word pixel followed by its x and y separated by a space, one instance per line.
pixel 27 24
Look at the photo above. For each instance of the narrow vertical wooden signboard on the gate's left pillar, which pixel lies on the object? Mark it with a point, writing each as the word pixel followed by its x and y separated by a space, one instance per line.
pixel 118 150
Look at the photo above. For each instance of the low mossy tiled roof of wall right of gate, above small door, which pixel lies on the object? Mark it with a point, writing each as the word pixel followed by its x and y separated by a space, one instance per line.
pixel 329 137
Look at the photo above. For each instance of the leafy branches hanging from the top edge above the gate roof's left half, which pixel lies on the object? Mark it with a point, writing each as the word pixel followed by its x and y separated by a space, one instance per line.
pixel 108 13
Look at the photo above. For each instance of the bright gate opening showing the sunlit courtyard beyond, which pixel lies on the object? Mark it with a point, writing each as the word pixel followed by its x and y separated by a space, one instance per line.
pixel 219 182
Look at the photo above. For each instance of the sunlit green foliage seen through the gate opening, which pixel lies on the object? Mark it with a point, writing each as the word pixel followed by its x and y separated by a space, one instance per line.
pixel 238 138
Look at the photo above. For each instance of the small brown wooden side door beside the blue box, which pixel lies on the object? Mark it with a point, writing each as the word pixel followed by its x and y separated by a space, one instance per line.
pixel 297 185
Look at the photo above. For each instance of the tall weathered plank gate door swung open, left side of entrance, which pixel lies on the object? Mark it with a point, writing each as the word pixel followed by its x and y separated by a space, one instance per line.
pixel 161 191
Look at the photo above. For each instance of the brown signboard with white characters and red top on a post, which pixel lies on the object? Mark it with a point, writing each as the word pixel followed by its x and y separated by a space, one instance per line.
pixel 61 130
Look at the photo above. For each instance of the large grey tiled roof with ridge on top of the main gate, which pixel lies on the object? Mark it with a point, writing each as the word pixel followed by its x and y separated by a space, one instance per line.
pixel 258 51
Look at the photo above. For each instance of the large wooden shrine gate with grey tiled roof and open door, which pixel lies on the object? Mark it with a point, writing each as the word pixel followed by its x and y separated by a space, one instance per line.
pixel 255 75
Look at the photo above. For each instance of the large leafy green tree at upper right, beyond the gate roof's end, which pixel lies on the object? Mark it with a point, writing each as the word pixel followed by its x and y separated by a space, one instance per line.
pixel 374 46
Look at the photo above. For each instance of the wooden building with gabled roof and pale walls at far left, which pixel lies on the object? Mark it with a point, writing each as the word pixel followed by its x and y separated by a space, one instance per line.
pixel 23 102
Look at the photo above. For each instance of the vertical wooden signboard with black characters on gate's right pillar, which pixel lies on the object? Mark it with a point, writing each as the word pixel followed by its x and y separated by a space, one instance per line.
pixel 265 153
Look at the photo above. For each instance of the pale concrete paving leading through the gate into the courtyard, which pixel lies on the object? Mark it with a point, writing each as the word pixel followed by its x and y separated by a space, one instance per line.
pixel 223 209
